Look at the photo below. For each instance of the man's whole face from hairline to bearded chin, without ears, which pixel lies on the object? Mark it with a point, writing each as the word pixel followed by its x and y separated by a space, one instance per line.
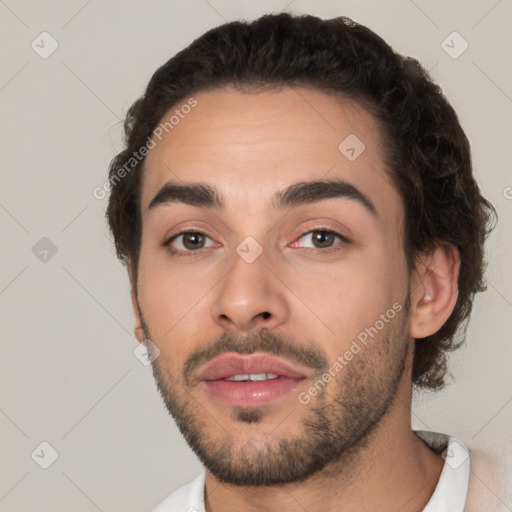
pixel 261 288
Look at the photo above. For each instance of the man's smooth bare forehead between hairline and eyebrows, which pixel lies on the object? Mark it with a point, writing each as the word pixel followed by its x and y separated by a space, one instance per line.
pixel 250 145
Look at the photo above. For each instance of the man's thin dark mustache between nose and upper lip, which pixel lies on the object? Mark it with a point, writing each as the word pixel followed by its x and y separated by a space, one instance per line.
pixel 264 340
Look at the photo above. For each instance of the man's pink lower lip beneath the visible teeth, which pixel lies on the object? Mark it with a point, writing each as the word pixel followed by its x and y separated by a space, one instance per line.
pixel 250 393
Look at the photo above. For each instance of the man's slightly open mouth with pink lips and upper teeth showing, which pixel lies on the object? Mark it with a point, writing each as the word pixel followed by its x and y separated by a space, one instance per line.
pixel 250 380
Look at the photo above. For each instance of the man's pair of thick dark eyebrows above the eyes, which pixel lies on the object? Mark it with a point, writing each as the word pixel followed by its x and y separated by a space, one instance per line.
pixel 306 192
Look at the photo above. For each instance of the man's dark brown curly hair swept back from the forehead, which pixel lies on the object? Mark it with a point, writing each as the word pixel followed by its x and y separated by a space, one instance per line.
pixel 429 159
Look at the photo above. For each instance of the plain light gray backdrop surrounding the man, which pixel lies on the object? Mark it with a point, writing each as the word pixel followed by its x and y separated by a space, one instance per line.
pixel 69 375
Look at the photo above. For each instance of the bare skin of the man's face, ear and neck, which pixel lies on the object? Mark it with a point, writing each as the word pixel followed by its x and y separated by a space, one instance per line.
pixel 249 146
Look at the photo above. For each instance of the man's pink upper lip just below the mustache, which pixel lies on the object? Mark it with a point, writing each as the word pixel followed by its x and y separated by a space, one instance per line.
pixel 236 364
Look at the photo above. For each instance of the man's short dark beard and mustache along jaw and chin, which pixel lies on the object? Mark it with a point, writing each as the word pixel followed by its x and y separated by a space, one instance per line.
pixel 335 426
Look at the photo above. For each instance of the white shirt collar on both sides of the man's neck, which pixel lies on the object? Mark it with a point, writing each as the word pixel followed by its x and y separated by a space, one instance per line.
pixel 449 494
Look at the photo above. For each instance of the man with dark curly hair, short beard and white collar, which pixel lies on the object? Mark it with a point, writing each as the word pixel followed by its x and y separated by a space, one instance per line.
pixel 304 237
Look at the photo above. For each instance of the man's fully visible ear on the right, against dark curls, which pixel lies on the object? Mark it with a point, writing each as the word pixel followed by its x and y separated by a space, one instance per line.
pixel 434 289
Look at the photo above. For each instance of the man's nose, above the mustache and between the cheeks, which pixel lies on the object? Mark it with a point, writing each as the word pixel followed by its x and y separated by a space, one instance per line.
pixel 251 296
